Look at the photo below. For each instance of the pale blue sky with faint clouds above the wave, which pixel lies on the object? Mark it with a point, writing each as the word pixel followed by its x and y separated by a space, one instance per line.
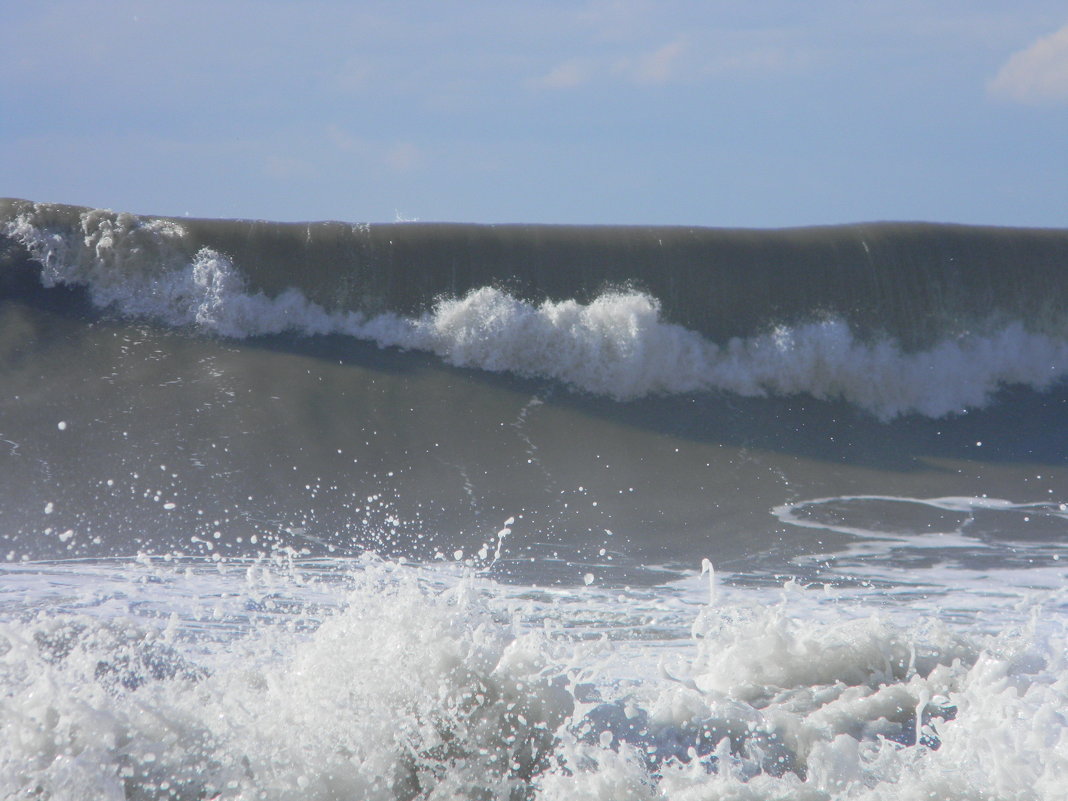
pixel 758 114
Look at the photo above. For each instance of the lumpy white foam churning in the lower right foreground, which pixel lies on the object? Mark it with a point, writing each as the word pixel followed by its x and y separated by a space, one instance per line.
pixel 834 710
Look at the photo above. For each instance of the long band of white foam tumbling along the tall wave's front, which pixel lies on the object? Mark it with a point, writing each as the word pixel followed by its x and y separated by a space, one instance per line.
pixel 618 345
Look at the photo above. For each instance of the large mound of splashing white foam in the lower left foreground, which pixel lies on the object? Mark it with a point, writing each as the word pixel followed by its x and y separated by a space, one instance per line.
pixel 401 690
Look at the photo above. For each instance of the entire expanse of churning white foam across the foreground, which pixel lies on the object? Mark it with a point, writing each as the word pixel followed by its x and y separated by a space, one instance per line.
pixel 392 682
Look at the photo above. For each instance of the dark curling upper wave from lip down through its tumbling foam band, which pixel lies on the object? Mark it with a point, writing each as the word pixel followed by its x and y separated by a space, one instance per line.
pixel 896 319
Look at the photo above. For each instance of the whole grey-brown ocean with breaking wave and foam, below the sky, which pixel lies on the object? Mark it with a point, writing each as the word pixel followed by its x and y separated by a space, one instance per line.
pixel 420 511
